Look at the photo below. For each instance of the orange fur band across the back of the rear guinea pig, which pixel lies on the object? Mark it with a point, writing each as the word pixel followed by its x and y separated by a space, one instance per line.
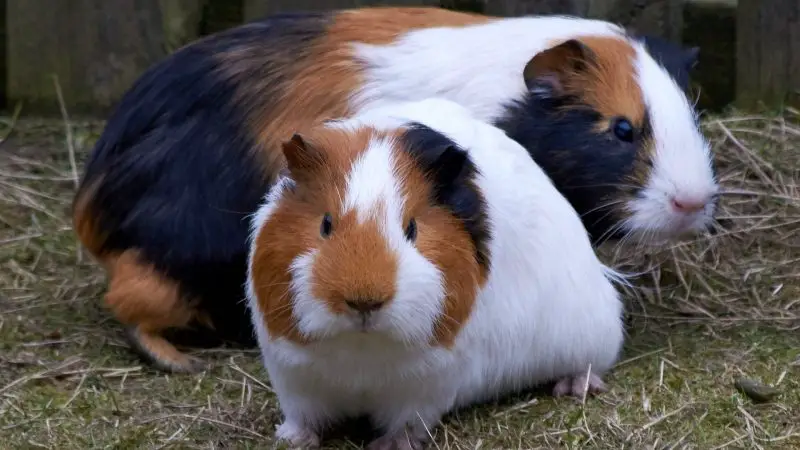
pixel 322 78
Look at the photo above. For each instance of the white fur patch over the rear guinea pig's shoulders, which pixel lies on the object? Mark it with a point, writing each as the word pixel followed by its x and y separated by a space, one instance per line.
pixel 478 66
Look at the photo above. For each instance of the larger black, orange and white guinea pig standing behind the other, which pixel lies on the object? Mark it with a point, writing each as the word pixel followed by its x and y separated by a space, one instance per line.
pixel 194 143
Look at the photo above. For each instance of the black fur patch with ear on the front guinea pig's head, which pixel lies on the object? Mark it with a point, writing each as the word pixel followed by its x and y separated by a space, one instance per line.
pixel 453 174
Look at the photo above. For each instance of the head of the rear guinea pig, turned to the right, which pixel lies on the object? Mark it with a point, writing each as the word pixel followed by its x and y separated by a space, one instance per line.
pixel 608 118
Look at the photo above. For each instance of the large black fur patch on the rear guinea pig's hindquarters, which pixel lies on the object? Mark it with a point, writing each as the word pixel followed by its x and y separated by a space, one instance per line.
pixel 179 171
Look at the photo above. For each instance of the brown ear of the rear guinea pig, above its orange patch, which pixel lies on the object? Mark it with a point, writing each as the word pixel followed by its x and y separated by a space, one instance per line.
pixel 551 68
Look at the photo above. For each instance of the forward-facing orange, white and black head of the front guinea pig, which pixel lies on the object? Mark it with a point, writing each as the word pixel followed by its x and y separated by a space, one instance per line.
pixel 372 233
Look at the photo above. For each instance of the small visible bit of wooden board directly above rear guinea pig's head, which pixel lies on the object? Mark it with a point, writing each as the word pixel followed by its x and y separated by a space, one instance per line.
pixel 663 18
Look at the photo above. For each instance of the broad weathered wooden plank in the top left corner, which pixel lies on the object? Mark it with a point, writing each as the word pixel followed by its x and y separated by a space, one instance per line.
pixel 96 48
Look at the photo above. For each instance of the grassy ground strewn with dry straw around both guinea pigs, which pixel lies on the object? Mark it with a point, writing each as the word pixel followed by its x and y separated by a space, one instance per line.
pixel 703 314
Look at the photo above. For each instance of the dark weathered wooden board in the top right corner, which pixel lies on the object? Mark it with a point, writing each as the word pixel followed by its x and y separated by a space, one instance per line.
pixel 768 53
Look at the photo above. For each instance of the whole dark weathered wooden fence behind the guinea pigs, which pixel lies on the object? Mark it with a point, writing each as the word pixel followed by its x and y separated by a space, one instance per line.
pixel 97 48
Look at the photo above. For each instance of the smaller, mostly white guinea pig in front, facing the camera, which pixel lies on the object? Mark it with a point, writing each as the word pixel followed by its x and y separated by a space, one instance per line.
pixel 415 259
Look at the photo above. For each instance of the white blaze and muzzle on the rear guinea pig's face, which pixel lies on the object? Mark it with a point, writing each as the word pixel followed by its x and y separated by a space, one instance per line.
pixel 682 164
